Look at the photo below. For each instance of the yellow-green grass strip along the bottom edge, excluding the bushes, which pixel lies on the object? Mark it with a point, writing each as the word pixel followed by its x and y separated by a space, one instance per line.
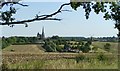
pixel 65 64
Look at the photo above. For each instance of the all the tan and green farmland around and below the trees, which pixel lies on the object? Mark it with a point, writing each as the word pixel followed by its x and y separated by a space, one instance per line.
pixel 34 57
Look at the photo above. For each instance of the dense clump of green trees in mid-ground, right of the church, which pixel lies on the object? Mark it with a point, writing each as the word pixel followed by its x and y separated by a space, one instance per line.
pixel 66 46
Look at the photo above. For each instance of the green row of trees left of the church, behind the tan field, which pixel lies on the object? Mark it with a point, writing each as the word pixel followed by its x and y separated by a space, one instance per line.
pixel 17 40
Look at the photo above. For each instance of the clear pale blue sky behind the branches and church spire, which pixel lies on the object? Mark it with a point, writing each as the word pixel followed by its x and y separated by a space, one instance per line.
pixel 72 24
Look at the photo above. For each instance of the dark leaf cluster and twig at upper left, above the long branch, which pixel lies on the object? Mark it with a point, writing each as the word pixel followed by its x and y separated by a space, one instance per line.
pixel 7 16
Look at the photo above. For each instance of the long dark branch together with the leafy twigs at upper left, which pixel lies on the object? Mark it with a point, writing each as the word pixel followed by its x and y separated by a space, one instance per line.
pixel 8 19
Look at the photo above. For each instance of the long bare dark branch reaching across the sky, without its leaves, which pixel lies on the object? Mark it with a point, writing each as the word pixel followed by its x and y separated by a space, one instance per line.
pixel 39 18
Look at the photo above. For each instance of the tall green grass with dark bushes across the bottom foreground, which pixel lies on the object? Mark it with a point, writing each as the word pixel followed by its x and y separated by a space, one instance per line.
pixel 100 61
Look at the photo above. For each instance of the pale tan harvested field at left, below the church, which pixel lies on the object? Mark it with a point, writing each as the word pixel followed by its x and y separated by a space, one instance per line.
pixel 30 48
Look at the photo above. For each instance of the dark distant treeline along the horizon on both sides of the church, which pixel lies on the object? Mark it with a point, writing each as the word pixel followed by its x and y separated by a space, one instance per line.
pixel 6 41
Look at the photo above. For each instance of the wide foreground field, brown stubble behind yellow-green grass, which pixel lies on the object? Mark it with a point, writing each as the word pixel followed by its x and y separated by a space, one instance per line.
pixel 59 61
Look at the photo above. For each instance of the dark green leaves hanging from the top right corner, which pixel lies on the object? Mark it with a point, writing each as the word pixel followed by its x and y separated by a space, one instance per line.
pixel 112 13
